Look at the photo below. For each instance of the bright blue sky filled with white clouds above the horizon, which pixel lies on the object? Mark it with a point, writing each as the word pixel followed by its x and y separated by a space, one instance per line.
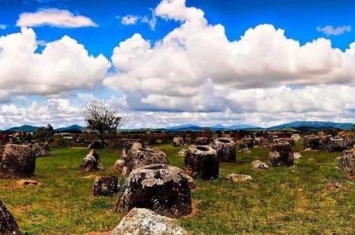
pixel 168 62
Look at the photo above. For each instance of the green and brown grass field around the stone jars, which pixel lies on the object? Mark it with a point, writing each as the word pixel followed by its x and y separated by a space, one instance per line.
pixel 311 198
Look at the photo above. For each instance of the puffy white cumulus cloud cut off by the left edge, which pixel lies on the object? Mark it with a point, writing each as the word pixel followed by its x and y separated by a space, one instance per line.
pixel 63 65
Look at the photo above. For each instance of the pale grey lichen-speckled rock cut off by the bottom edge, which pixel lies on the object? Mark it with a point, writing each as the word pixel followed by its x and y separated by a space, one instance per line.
pixel 140 221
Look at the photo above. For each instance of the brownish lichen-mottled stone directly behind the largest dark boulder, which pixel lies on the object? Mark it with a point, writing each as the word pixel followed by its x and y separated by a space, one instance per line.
pixel 136 156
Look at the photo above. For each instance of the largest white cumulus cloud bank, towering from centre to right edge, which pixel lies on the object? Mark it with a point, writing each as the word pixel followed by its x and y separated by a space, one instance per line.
pixel 195 61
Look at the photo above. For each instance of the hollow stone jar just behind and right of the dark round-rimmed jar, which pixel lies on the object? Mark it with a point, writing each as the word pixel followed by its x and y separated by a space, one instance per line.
pixel 225 149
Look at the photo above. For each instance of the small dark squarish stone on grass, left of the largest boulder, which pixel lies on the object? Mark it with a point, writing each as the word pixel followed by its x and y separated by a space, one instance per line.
pixel 105 186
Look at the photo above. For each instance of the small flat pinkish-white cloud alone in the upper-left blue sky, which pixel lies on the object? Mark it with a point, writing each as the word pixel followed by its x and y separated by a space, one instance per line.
pixel 54 17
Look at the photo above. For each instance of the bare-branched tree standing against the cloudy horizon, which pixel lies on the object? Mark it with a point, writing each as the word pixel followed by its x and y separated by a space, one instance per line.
pixel 102 117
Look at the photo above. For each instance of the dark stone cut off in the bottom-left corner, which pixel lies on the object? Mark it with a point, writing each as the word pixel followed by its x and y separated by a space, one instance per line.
pixel 8 225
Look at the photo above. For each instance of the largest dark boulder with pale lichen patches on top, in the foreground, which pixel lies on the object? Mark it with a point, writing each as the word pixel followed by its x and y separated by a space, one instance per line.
pixel 161 188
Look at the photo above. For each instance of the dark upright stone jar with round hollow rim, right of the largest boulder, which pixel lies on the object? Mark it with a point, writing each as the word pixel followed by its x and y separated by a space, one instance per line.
pixel 202 162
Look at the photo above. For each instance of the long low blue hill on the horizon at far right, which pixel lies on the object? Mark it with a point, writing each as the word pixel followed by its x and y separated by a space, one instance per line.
pixel 312 125
